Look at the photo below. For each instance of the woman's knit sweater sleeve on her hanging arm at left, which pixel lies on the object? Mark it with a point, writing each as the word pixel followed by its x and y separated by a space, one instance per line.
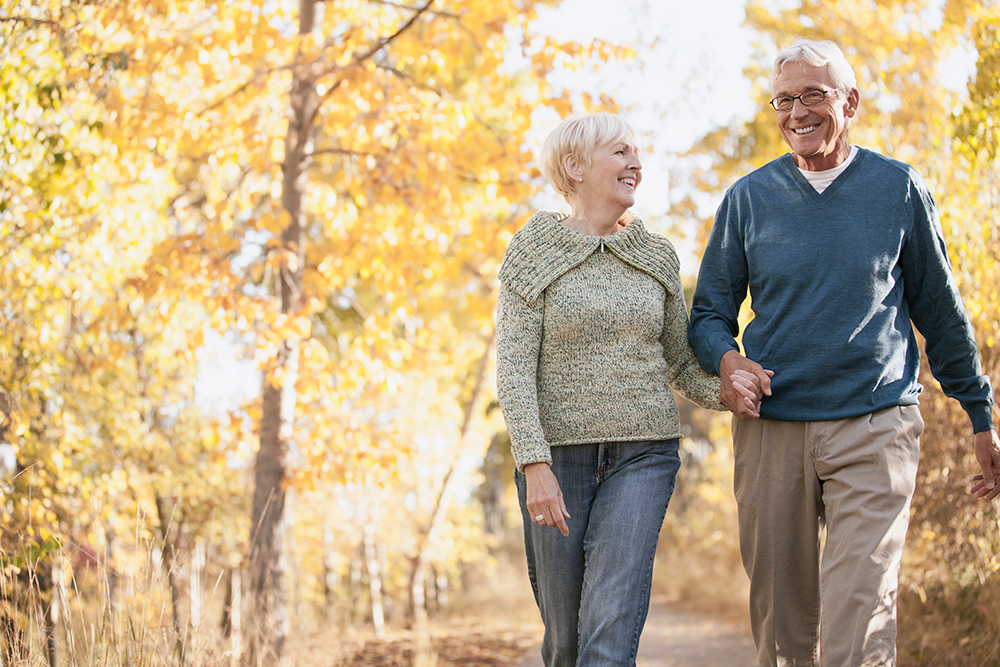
pixel 519 339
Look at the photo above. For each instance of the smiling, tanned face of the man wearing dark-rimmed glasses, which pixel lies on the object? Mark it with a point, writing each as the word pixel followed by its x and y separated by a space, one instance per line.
pixel 816 134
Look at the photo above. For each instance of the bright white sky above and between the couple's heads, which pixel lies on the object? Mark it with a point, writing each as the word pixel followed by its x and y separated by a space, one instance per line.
pixel 688 81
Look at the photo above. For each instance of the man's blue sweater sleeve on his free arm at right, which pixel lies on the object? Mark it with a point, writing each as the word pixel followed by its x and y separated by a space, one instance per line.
pixel 937 311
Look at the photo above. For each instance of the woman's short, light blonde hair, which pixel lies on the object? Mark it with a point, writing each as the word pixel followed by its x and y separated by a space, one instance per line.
pixel 578 135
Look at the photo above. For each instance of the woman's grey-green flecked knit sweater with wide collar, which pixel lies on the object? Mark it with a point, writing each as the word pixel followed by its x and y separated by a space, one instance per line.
pixel 591 336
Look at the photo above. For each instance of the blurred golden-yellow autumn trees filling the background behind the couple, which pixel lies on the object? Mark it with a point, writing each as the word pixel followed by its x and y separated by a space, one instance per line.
pixel 322 193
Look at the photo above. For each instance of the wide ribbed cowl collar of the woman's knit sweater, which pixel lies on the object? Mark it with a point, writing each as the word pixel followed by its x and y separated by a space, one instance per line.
pixel 544 249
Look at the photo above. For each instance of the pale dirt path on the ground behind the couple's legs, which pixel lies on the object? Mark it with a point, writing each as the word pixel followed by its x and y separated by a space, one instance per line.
pixel 677 638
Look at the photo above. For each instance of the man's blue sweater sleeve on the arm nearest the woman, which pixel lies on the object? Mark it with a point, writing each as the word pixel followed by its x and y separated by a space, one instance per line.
pixel 721 290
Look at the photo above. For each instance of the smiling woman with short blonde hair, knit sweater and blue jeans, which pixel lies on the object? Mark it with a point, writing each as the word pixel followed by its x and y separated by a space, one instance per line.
pixel 591 337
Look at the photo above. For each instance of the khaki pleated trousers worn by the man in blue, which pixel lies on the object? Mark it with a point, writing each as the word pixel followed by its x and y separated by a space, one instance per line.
pixel 853 477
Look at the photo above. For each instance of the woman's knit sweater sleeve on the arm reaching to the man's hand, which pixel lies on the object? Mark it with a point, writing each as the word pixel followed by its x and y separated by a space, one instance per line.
pixel 683 372
